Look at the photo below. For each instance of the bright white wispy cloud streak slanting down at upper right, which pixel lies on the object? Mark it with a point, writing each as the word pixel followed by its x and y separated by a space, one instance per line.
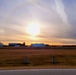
pixel 61 11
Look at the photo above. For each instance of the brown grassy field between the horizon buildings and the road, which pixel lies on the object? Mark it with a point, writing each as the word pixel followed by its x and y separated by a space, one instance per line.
pixel 38 58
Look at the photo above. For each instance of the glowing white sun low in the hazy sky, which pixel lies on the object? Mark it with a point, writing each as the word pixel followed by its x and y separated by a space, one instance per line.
pixel 33 29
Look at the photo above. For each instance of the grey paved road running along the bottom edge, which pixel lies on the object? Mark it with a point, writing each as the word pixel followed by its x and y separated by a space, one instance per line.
pixel 39 72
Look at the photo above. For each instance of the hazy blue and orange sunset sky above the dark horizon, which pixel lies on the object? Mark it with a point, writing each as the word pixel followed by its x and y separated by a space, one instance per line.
pixel 56 20
